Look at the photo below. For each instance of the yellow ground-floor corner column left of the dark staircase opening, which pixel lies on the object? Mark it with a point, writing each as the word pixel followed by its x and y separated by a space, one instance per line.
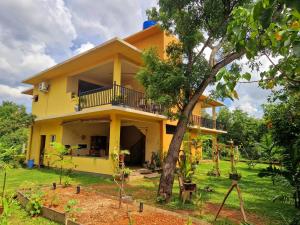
pixel 114 134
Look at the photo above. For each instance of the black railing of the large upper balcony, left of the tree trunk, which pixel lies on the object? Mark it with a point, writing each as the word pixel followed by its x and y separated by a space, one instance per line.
pixel 118 95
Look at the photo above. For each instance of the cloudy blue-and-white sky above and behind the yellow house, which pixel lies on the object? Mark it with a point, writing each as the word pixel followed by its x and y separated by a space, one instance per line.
pixel 37 34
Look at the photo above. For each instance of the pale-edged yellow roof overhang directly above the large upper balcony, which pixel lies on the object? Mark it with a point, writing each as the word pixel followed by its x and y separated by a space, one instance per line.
pixel 89 59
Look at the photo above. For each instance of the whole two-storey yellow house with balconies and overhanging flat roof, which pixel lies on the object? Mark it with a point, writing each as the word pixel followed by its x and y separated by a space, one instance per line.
pixel 93 100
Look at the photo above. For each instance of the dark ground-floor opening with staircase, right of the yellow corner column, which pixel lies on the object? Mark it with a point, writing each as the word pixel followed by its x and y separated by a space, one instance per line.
pixel 133 140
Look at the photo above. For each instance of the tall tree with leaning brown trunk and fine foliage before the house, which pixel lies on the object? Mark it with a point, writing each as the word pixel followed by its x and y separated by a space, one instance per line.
pixel 179 81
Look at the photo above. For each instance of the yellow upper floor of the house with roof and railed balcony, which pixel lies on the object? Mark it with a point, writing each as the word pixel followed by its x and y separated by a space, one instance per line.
pixel 104 75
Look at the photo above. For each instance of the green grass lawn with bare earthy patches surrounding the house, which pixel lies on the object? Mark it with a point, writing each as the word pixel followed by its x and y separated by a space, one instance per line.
pixel 257 194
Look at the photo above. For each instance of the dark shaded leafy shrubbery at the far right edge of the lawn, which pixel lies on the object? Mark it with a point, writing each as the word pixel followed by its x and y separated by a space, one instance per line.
pixel 283 120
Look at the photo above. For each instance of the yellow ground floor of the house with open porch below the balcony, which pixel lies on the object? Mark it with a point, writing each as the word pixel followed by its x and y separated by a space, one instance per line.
pixel 97 136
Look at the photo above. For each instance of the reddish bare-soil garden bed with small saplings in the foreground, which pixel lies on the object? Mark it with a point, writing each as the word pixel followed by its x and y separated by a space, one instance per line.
pixel 96 208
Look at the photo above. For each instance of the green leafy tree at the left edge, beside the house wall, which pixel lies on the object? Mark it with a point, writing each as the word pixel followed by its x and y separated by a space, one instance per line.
pixel 14 123
